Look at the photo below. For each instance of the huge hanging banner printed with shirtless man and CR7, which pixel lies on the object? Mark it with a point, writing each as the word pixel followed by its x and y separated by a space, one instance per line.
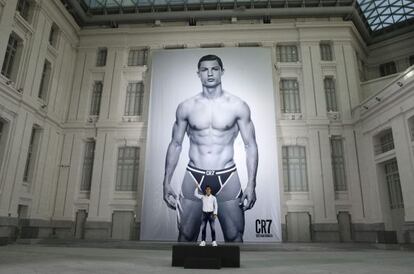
pixel 200 134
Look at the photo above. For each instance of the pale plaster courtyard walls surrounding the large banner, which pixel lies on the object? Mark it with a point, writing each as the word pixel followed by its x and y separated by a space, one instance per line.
pixel 55 190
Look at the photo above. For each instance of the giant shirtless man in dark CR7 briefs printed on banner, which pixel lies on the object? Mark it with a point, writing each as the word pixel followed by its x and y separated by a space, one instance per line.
pixel 212 120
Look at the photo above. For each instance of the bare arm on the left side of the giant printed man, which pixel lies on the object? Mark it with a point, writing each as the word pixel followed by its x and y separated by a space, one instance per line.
pixel 173 154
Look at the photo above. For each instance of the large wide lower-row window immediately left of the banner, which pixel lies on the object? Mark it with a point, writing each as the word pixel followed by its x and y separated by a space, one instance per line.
pixel 127 169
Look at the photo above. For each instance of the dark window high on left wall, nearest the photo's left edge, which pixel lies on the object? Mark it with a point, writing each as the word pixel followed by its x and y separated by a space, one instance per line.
pixel 12 58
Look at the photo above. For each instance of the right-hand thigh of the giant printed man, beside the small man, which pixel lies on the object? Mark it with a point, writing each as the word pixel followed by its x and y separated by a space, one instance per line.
pixel 231 217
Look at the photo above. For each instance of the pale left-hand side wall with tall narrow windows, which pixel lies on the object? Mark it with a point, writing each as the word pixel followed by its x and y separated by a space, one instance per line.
pixel 21 107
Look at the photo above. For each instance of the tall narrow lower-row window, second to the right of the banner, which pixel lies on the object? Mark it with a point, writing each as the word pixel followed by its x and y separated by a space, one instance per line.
pixel 338 163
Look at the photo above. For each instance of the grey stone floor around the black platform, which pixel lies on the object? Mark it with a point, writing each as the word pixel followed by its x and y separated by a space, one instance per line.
pixel 58 258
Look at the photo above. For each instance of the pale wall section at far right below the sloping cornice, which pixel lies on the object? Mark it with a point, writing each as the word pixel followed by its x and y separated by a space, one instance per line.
pixel 390 107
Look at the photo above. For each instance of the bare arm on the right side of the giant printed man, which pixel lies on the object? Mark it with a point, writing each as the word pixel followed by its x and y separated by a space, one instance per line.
pixel 248 135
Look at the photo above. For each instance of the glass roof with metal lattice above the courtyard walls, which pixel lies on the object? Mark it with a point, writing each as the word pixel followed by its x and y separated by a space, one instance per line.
pixel 379 14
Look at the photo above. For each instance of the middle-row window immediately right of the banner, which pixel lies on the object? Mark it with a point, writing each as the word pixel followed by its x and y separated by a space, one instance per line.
pixel 289 95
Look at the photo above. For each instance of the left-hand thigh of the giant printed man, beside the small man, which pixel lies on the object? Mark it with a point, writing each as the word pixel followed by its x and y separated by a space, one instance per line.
pixel 190 219
